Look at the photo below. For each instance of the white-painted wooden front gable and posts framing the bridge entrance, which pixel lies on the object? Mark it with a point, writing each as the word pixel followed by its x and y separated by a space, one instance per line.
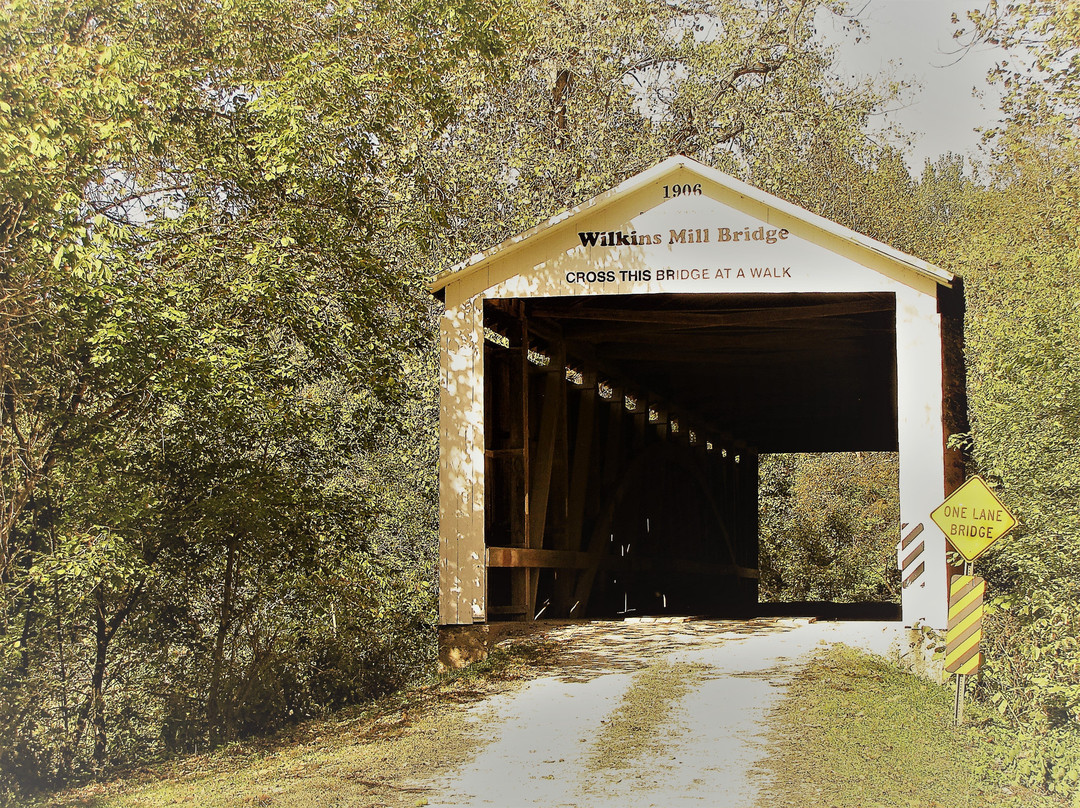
pixel 817 257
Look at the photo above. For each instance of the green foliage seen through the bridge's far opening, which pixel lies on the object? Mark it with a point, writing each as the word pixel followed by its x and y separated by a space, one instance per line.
pixel 829 528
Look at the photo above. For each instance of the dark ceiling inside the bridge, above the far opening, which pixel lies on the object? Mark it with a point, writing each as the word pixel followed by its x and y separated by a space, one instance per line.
pixel 782 372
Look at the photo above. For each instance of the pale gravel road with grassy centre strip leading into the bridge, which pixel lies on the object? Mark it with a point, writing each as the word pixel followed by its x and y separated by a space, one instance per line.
pixel 642 715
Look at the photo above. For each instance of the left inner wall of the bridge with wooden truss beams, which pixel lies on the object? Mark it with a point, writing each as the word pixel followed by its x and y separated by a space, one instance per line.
pixel 580 462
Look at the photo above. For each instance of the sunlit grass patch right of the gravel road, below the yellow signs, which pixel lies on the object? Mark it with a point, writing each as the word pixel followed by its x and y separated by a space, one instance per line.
pixel 856 732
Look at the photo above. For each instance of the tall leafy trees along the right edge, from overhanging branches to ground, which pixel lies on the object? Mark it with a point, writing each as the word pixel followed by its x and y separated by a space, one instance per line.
pixel 1017 248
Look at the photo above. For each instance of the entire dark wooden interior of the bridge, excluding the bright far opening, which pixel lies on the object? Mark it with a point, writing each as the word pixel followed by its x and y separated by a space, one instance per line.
pixel 623 436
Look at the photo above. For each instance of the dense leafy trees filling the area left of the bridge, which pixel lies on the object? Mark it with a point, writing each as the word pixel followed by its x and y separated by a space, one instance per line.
pixel 217 427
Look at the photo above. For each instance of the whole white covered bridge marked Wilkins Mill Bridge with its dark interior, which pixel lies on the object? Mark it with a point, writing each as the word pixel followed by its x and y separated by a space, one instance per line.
pixel 611 378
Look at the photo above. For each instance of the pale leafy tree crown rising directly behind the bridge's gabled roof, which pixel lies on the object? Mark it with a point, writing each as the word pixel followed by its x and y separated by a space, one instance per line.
pixel 600 91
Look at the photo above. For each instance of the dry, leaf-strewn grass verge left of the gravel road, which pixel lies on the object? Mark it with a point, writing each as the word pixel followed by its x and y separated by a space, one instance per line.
pixel 368 755
